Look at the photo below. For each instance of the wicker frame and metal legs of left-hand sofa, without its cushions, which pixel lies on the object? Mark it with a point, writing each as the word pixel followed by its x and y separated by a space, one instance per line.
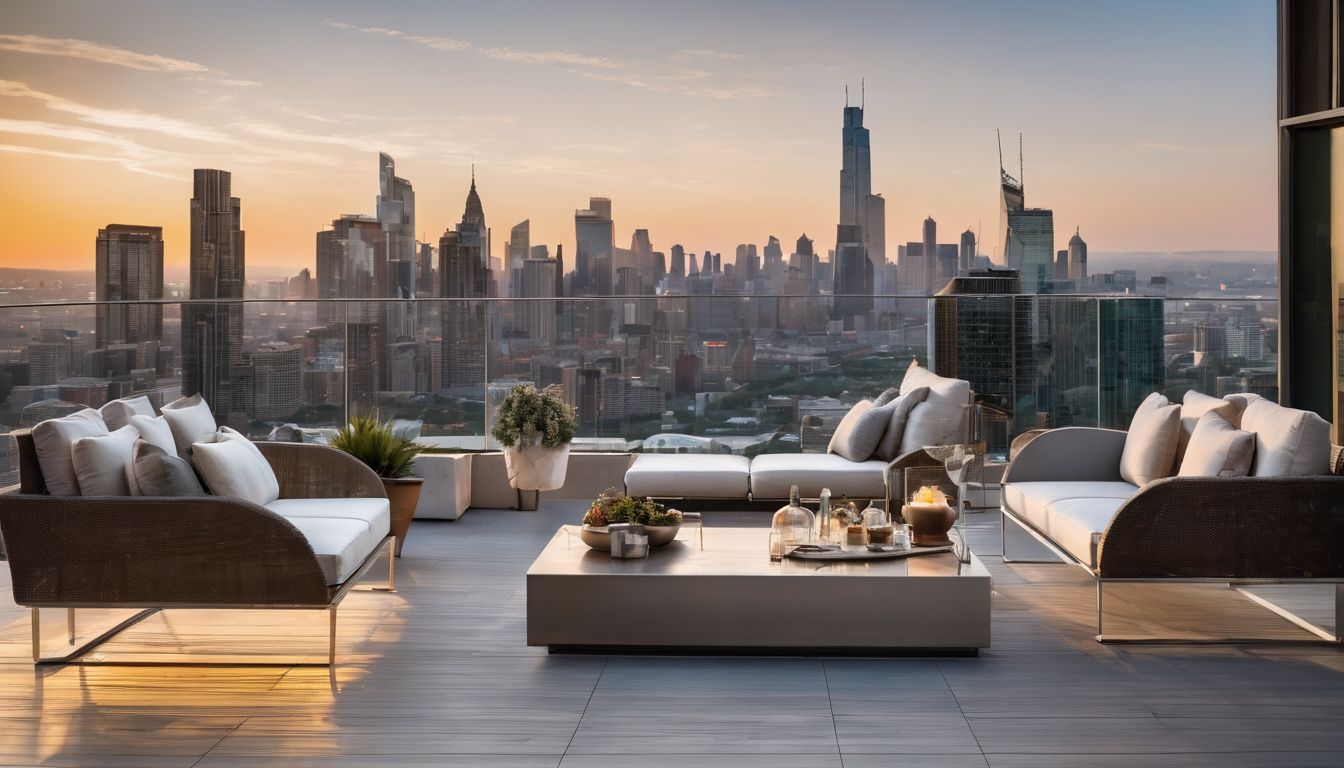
pixel 136 552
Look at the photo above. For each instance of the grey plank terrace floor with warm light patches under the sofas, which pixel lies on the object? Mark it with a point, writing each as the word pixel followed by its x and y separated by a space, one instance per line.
pixel 439 675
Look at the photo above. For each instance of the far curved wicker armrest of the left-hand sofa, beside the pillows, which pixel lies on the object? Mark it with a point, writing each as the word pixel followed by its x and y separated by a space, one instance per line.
pixel 308 471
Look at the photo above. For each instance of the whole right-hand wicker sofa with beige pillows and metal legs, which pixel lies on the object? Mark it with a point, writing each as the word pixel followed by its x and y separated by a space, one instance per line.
pixel 1264 508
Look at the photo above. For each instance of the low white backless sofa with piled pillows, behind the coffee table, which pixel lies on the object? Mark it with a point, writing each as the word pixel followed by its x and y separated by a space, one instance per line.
pixel 872 447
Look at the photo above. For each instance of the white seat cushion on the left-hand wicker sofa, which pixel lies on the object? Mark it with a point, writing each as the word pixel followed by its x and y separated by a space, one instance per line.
pixel 342 532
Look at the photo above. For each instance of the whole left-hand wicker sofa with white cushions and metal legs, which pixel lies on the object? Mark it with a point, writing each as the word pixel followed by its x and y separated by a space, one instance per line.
pixel 303 549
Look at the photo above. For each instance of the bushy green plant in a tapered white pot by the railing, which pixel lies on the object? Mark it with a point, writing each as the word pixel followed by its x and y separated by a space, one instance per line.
pixel 536 428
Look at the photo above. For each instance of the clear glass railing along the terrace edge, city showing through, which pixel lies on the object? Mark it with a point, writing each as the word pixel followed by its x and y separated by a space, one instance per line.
pixel 678 375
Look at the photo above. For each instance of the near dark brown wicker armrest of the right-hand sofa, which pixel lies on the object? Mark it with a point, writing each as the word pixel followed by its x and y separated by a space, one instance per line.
pixel 1229 528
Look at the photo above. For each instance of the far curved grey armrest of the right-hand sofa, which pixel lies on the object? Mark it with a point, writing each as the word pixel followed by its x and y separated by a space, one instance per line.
pixel 1069 454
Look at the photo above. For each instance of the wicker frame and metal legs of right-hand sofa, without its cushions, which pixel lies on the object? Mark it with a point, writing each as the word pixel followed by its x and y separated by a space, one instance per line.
pixel 1241 532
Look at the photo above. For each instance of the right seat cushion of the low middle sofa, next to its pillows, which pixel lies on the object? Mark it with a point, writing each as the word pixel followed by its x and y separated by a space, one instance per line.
pixel 773 474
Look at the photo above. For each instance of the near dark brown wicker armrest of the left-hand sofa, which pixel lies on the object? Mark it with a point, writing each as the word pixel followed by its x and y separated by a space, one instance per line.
pixel 157 553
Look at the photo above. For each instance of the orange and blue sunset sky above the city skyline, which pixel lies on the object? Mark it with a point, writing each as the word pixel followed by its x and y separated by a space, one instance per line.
pixel 1148 124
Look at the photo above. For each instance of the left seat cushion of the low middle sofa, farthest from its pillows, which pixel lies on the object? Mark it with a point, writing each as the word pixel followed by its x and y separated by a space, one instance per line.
pixel 689 475
